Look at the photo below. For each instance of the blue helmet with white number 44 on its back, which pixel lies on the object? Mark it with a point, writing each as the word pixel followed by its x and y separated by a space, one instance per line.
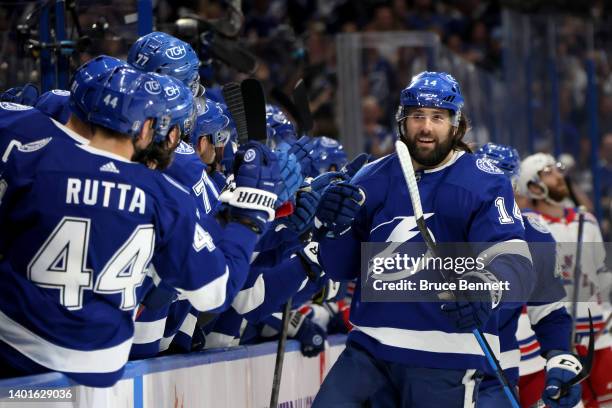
pixel 122 99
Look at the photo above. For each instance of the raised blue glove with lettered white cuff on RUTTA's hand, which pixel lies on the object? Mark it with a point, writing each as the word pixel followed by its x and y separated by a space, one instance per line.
pixel 253 193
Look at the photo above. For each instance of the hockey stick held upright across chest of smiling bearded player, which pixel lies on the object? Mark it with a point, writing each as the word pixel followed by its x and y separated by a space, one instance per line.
pixel 408 171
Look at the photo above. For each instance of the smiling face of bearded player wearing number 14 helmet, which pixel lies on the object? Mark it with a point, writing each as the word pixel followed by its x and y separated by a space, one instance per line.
pixel 429 135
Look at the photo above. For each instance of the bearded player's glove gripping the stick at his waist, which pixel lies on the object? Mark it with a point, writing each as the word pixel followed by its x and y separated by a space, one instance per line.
pixel 472 310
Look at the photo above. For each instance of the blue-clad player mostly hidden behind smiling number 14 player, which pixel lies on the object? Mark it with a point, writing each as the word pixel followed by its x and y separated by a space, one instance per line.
pixel 550 320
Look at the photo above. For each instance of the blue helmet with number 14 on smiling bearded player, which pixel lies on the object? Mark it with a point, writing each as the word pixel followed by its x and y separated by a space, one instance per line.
pixel 432 90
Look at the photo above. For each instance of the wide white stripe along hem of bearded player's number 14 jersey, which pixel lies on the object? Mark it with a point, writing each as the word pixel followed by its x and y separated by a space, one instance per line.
pixel 433 341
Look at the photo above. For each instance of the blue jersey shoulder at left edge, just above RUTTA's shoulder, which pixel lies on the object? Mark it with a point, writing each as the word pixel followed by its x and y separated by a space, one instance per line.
pixel 24 124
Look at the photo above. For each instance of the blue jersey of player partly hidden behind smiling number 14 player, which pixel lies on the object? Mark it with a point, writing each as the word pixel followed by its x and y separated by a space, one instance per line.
pixel 553 323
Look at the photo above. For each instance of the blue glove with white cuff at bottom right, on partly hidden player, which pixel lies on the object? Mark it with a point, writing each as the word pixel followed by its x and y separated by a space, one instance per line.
pixel 561 367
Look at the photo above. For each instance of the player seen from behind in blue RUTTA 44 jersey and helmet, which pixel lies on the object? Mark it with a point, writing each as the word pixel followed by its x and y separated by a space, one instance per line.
pixel 79 235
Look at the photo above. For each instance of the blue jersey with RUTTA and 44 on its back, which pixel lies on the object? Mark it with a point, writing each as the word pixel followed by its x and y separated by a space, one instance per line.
pixel 80 227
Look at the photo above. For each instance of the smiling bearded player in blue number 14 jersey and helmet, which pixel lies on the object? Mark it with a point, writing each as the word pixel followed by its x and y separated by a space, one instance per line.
pixel 423 354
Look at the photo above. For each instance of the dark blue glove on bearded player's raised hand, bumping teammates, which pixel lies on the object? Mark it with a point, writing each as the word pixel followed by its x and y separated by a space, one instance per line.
pixel 337 209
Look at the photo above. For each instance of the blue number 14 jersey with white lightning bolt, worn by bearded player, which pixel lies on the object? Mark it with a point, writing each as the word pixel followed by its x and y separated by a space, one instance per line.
pixel 461 201
